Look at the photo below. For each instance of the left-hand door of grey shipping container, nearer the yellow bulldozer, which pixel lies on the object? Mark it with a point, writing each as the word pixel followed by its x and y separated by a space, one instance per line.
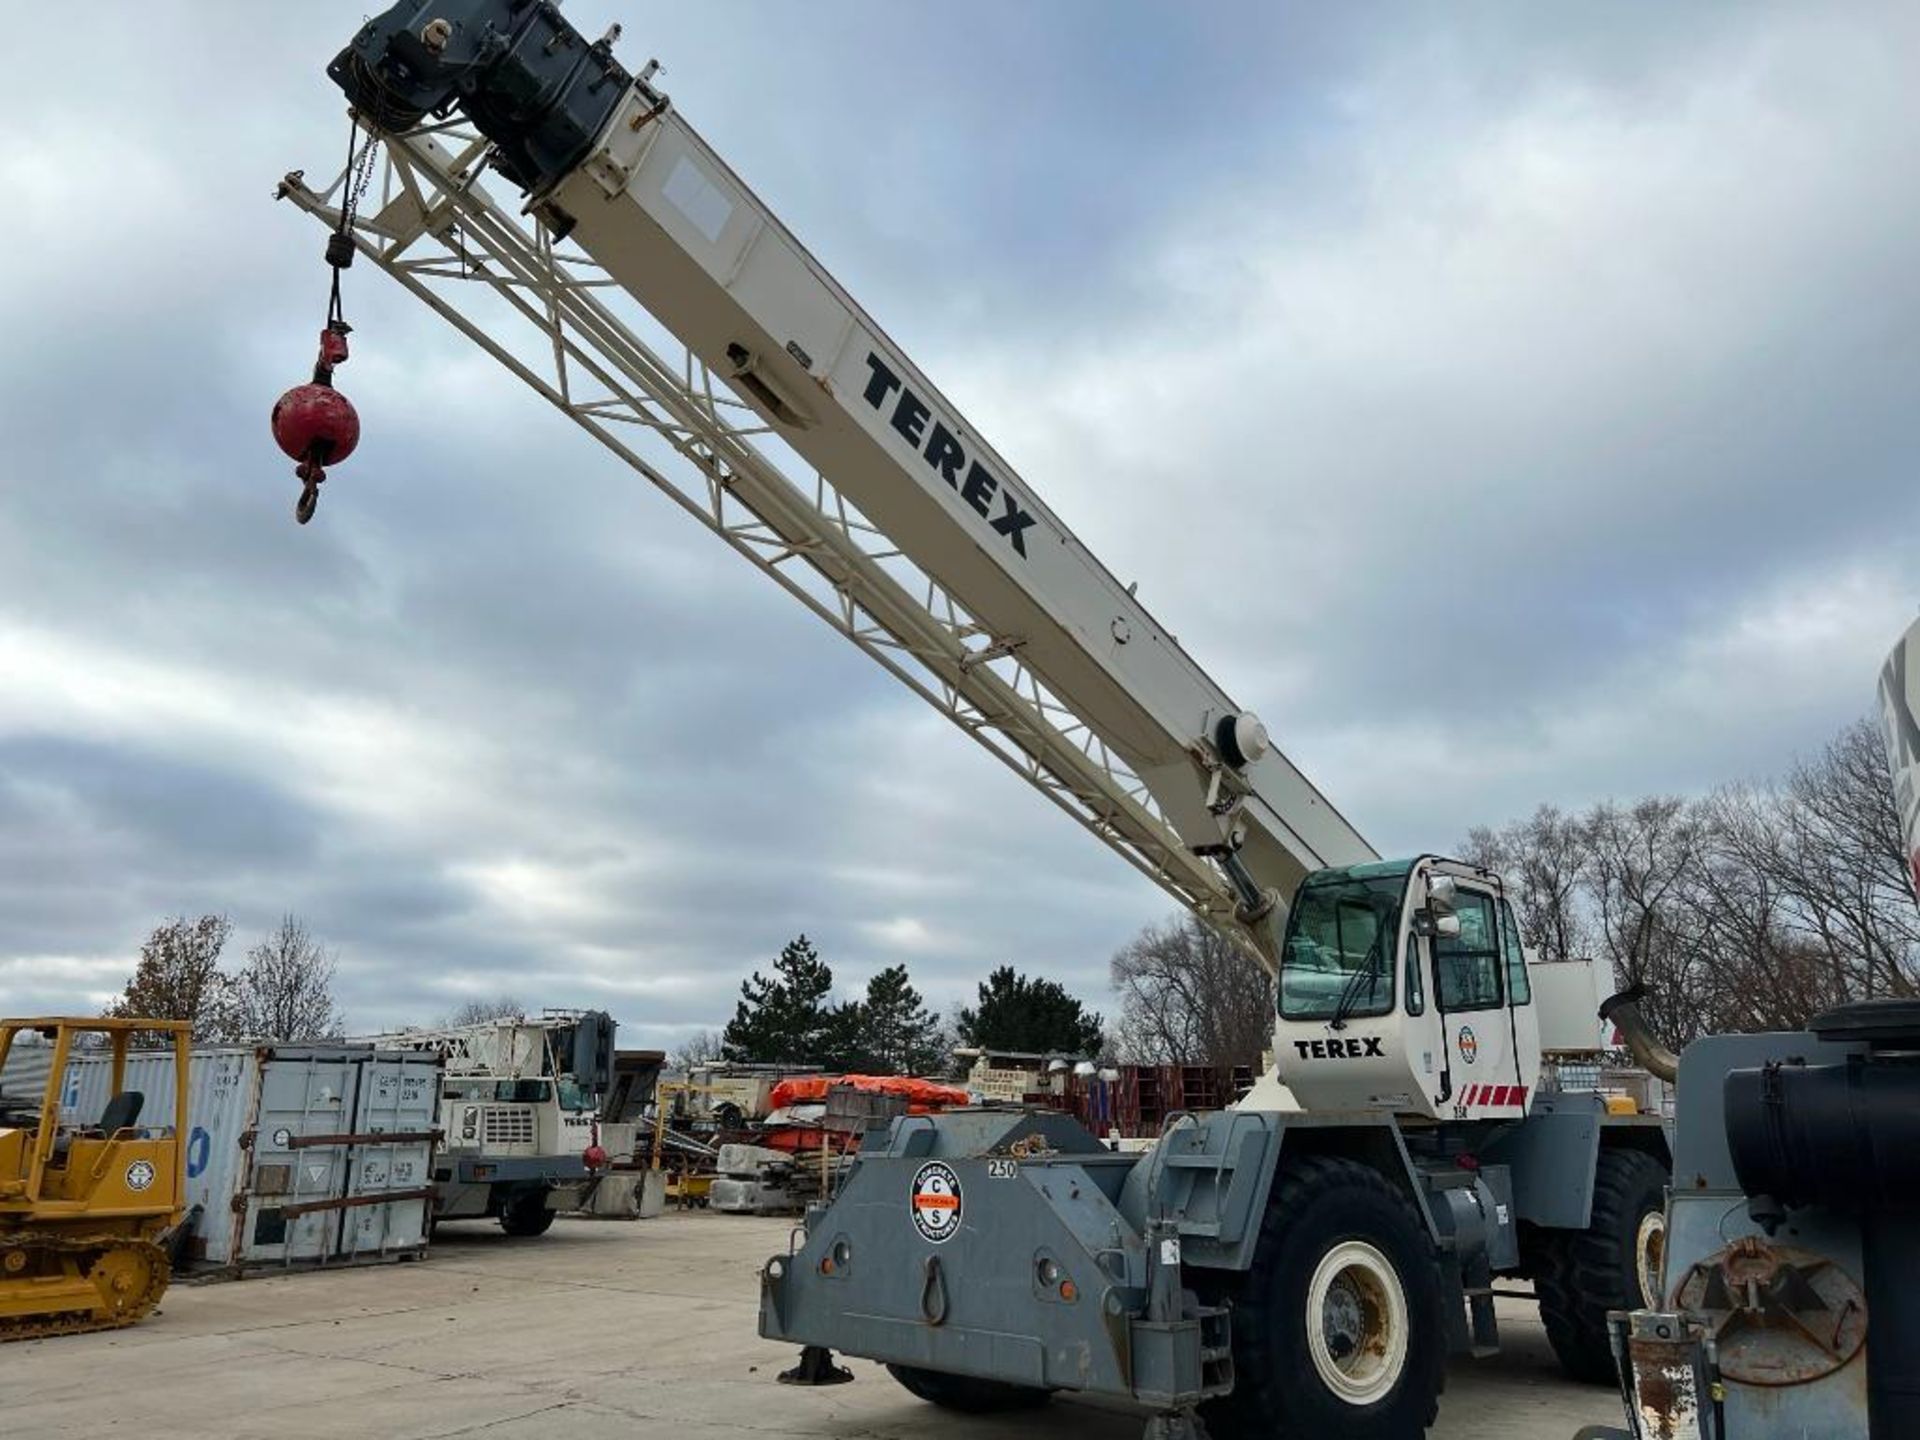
pixel 299 1176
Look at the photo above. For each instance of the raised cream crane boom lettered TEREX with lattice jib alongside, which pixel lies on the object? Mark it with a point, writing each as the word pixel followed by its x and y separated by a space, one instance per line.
pixel 913 537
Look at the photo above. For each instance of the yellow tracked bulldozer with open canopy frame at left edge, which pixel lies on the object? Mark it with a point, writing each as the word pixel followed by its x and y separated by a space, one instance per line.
pixel 85 1209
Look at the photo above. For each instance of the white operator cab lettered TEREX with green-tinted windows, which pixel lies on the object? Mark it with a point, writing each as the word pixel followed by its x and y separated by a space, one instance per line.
pixel 1404 988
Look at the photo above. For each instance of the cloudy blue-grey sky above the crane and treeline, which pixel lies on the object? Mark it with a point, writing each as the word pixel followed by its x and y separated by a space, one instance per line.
pixel 1510 402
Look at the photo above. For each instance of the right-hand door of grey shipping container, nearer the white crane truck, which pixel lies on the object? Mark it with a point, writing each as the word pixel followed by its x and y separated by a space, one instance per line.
pixel 398 1095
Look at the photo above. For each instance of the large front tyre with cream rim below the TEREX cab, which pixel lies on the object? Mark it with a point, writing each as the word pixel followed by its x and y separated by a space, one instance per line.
pixel 1341 1232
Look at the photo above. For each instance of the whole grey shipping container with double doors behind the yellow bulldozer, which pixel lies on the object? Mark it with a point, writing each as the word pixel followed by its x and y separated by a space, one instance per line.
pixel 297 1155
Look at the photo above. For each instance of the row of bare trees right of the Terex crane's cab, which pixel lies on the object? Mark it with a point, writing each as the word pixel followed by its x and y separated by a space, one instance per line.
pixel 1750 909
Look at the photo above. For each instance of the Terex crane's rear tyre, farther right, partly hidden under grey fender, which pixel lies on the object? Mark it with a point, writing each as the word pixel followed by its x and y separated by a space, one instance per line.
pixel 1581 1276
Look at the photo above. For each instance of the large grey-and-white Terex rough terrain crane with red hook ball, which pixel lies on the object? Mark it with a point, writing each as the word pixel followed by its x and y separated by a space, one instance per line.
pixel 1297 1266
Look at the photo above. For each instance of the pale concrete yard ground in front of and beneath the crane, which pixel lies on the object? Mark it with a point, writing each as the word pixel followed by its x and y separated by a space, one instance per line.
pixel 596 1330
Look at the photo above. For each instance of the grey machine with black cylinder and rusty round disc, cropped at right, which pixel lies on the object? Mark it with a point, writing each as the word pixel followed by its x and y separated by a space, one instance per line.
pixel 1792 1241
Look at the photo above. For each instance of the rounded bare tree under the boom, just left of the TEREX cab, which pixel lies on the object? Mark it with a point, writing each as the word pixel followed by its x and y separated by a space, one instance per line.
pixel 1191 996
